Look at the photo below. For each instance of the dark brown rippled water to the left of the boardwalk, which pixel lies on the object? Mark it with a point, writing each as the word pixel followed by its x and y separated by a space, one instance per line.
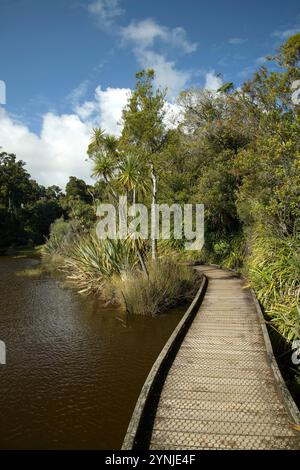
pixel 74 367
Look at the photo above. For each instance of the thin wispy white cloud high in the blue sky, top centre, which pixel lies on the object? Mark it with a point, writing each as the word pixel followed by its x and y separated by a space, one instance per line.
pixel 145 32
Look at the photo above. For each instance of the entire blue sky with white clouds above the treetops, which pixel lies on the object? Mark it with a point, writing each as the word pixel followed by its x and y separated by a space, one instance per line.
pixel 70 64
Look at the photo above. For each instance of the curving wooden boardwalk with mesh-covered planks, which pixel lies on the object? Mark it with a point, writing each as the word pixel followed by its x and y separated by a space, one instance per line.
pixel 222 390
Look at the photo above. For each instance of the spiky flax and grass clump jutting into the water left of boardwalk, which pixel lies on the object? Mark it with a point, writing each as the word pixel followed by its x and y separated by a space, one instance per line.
pixel 113 270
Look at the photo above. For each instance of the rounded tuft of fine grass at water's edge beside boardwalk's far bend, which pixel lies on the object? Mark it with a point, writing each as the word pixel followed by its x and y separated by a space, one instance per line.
pixel 168 284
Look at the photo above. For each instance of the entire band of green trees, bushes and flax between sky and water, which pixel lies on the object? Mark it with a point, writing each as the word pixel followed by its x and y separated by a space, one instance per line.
pixel 237 151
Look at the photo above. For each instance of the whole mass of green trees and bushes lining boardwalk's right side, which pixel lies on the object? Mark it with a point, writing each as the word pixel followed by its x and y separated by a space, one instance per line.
pixel 244 147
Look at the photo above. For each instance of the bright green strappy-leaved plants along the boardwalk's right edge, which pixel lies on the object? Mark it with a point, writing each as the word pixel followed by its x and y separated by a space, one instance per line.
pixel 273 269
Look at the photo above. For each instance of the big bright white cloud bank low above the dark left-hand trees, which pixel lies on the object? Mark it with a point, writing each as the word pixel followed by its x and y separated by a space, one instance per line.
pixel 59 151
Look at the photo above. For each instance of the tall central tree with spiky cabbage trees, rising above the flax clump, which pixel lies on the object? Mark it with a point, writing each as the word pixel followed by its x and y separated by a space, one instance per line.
pixel 124 164
